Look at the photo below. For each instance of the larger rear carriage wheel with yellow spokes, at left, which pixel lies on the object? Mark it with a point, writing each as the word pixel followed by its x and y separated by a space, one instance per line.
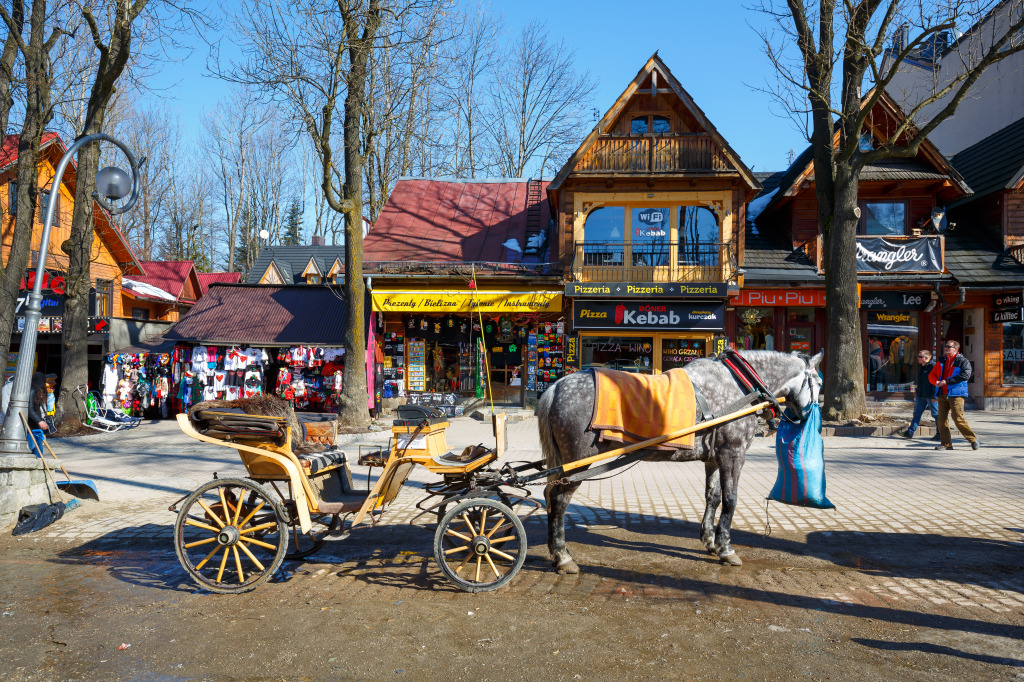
pixel 231 535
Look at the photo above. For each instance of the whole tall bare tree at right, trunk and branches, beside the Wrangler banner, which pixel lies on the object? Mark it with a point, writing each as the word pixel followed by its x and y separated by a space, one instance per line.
pixel 824 52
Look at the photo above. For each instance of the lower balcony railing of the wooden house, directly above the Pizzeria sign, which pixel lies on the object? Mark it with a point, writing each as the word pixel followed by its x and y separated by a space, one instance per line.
pixel 654 262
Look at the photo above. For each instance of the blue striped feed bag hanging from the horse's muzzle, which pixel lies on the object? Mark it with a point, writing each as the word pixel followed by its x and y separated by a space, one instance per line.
pixel 801 463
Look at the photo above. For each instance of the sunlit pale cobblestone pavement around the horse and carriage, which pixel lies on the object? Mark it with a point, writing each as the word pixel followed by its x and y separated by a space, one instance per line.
pixel 883 488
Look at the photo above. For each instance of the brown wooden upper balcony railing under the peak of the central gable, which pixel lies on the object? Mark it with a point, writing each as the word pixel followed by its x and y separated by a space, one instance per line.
pixel 643 154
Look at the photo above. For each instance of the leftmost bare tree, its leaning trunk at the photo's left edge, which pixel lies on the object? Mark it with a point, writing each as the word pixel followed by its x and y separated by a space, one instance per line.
pixel 38 111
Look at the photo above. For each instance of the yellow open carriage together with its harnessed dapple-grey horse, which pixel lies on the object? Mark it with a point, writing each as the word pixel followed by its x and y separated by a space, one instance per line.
pixel 234 534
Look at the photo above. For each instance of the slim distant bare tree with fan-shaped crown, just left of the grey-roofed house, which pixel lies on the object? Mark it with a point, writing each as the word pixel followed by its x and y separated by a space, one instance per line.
pixel 230 130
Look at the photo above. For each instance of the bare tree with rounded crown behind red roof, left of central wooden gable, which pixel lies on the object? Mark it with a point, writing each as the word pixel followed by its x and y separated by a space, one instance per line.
pixel 538 104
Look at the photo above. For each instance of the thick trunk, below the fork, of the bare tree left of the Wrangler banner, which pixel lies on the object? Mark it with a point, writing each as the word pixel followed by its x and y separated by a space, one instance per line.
pixel 844 398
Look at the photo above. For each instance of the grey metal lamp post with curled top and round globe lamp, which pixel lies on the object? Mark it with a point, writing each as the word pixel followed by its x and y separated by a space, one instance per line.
pixel 111 183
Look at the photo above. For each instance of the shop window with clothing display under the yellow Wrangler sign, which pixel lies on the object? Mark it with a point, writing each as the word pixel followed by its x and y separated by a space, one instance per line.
pixel 892 351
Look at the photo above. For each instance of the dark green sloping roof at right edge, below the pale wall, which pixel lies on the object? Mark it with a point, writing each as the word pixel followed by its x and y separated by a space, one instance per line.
pixel 995 163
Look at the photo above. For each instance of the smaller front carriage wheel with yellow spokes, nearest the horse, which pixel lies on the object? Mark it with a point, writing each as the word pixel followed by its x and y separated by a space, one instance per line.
pixel 481 545
